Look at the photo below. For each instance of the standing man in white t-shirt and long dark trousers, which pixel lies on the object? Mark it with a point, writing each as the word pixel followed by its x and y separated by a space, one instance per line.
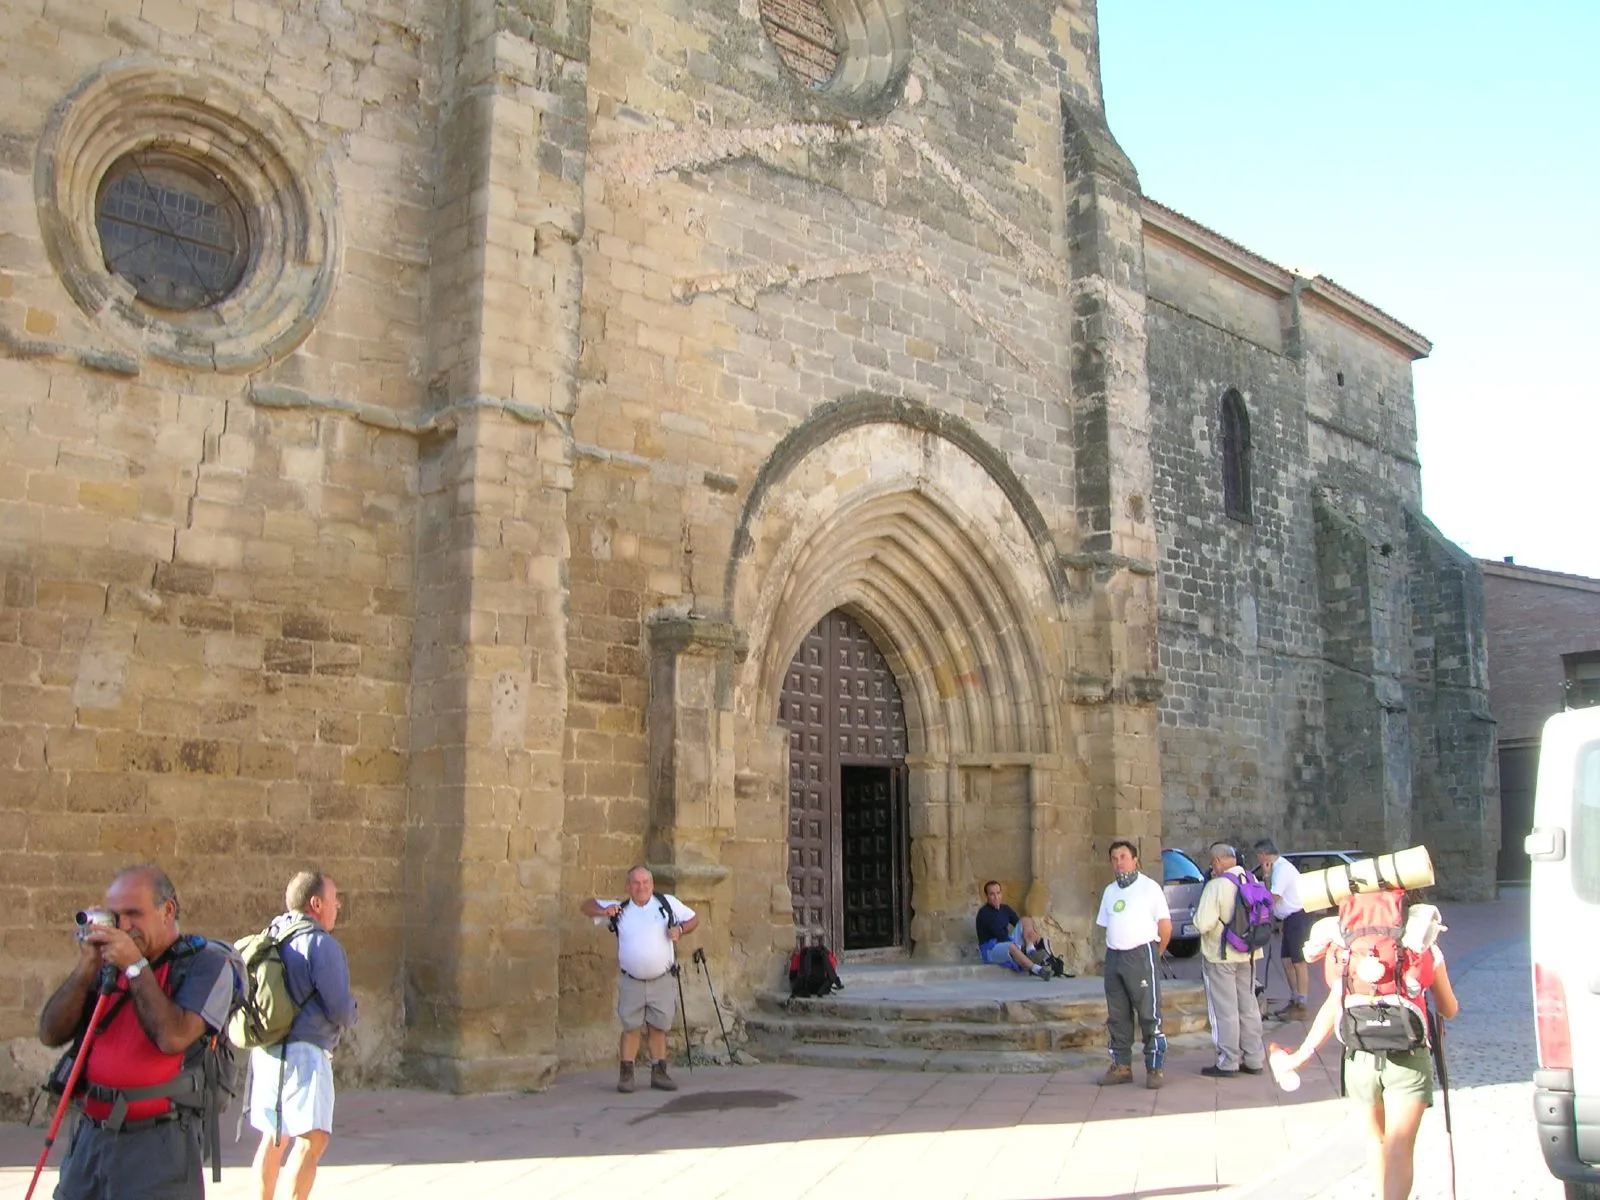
pixel 1138 926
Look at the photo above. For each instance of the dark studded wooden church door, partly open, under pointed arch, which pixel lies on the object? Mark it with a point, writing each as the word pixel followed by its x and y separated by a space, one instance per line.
pixel 849 814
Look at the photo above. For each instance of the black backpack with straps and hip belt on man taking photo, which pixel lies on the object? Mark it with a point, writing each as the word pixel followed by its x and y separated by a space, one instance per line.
pixel 210 1076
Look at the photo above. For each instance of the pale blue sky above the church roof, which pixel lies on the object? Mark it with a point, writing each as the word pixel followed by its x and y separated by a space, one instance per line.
pixel 1442 161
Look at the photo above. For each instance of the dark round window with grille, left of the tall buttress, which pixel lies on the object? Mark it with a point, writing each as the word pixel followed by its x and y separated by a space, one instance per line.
pixel 174 230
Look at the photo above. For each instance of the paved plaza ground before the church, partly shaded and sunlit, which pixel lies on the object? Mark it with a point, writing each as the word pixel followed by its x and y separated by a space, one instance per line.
pixel 777 1132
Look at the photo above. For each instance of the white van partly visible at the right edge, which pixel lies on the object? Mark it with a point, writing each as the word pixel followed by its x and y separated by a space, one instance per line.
pixel 1566 940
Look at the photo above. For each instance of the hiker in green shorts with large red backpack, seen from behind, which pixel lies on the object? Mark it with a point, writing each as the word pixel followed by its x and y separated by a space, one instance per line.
pixel 1380 994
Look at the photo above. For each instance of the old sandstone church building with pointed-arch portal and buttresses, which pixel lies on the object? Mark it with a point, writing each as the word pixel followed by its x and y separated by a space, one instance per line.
pixel 481 447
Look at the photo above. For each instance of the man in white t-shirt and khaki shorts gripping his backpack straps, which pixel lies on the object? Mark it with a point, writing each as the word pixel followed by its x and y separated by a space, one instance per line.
pixel 647 930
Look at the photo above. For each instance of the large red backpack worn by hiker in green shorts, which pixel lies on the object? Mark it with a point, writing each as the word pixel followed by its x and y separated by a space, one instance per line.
pixel 1385 983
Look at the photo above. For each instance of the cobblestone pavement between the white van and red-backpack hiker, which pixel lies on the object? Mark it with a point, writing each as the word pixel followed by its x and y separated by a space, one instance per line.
pixel 1490 1054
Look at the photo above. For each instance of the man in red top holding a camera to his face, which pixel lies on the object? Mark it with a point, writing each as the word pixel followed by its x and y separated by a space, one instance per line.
pixel 167 996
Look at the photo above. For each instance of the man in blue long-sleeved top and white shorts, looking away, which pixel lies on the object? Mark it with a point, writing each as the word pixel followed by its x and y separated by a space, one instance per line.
pixel 292 1084
